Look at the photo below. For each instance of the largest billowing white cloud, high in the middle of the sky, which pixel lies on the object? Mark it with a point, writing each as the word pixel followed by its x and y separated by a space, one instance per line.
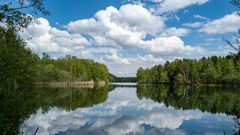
pixel 123 27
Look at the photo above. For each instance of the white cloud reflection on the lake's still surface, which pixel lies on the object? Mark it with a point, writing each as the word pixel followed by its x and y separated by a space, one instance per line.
pixel 123 113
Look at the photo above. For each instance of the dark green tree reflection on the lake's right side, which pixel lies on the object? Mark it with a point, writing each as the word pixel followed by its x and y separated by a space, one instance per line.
pixel 207 99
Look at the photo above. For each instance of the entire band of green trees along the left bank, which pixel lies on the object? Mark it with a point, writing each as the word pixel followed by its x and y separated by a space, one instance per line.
pixel 19 65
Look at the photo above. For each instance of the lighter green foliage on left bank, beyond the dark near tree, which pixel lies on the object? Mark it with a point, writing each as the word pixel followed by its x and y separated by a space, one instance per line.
pixel 69 69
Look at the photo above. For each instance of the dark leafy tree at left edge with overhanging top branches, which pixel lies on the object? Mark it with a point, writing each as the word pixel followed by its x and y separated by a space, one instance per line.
pixel 17 63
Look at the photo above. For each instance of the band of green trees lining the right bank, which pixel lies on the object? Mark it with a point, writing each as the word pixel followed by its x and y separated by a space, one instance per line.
pixel 212 70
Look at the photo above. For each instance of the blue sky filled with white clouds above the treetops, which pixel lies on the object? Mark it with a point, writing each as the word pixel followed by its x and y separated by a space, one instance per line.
pixel 129 34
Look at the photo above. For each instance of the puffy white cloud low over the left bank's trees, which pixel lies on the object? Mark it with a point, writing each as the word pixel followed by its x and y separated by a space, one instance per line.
pixel 40 36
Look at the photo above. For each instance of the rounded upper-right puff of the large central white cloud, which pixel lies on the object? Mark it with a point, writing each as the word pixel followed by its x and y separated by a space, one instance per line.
pixel 139 18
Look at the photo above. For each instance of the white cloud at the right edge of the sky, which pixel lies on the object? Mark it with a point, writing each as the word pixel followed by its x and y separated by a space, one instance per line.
pixel 228 23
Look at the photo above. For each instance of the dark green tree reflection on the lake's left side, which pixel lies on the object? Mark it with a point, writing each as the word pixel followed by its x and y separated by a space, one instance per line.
pixel 18 105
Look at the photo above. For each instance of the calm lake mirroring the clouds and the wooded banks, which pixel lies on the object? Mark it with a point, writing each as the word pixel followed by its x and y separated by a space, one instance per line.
pixel 121 109
